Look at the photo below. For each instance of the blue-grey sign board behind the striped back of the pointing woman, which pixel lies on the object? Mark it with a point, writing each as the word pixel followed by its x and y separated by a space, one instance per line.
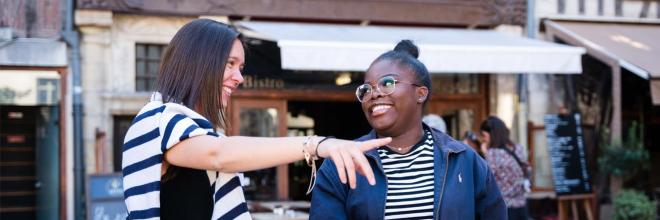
pixel 105 197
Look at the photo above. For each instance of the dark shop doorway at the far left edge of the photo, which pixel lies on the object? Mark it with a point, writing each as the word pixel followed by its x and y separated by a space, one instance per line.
pixel 29 162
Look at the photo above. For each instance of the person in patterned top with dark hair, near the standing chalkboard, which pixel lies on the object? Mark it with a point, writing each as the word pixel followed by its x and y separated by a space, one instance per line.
pixel 509 164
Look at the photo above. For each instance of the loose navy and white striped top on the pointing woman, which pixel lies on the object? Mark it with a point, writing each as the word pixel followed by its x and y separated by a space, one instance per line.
pixel 156 128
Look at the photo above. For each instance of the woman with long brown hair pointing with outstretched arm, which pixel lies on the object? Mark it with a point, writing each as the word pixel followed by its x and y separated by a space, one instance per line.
pixel 177 166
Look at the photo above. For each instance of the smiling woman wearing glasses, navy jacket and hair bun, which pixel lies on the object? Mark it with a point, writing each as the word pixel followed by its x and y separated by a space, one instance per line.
pixel 422 173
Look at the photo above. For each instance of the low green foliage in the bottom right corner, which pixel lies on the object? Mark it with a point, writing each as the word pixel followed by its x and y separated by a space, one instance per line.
pixel 631 204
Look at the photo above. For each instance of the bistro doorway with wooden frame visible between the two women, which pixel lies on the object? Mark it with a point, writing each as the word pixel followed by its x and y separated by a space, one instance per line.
pixel 276 118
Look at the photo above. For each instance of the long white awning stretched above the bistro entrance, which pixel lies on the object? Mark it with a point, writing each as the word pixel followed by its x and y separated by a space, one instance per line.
pixel 332 47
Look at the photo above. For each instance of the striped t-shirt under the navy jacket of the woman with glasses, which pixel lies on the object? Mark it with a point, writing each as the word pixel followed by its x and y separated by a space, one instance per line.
pixel 409 180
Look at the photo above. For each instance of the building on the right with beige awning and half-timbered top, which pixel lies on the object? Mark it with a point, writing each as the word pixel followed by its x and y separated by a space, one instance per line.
pixel 614 89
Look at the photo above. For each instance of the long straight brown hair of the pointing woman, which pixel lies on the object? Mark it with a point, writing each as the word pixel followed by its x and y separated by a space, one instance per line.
pixel 192 68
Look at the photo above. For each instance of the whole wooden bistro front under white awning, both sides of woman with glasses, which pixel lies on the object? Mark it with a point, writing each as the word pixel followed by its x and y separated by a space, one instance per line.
pixel 459 99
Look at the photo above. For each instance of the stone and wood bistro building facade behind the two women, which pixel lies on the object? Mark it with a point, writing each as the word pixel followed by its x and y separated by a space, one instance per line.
pixel 122 42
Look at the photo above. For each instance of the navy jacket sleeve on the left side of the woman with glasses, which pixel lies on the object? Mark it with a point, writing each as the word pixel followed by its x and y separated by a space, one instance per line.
pixel 329 194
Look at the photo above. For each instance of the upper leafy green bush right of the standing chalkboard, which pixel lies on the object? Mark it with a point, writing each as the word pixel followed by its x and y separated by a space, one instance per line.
pixel 628 158
